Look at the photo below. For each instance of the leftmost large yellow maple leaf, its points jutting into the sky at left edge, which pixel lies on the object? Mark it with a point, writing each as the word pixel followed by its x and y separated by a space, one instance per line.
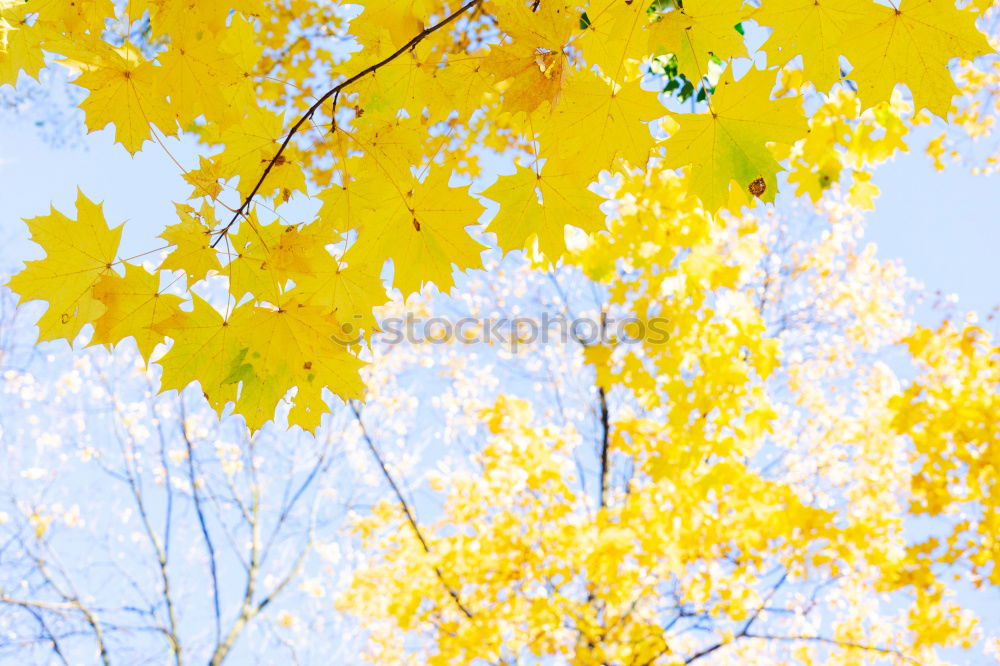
pixel 78 254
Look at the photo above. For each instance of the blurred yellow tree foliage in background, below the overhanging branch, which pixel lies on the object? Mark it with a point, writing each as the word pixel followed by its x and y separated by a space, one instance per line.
pixel 758 475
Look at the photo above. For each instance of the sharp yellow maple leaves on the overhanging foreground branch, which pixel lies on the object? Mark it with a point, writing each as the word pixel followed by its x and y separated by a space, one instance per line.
pixel 378 111
